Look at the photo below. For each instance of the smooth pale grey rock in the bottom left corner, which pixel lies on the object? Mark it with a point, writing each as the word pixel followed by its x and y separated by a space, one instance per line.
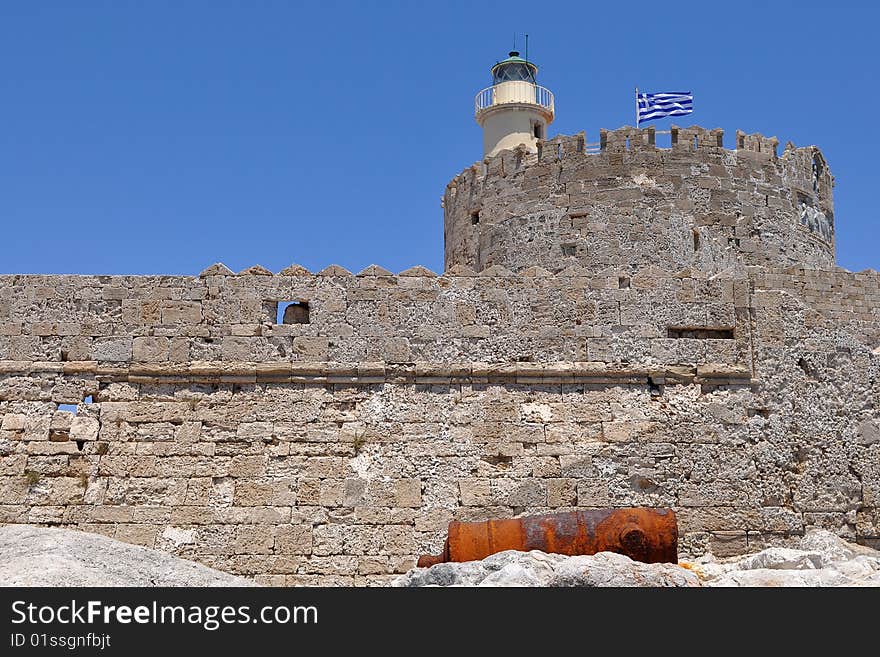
pixel 37 556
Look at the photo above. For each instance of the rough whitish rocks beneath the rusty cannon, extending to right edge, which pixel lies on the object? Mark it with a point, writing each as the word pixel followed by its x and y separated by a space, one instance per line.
pixel 821 559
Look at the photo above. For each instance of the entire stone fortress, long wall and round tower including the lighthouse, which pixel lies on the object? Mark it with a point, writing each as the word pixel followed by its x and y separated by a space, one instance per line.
pixel 617 325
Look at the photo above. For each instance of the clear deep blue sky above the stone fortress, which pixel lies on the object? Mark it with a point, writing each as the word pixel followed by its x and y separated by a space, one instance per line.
pixel 160 137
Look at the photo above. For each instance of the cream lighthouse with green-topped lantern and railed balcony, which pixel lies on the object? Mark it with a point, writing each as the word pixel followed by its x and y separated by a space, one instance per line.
pixel 514 110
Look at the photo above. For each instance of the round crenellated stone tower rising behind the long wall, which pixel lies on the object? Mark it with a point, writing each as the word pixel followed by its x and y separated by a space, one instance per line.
pixel 631 204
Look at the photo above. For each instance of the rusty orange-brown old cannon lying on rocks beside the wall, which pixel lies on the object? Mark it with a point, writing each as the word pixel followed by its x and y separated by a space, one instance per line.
pixel 648 535
